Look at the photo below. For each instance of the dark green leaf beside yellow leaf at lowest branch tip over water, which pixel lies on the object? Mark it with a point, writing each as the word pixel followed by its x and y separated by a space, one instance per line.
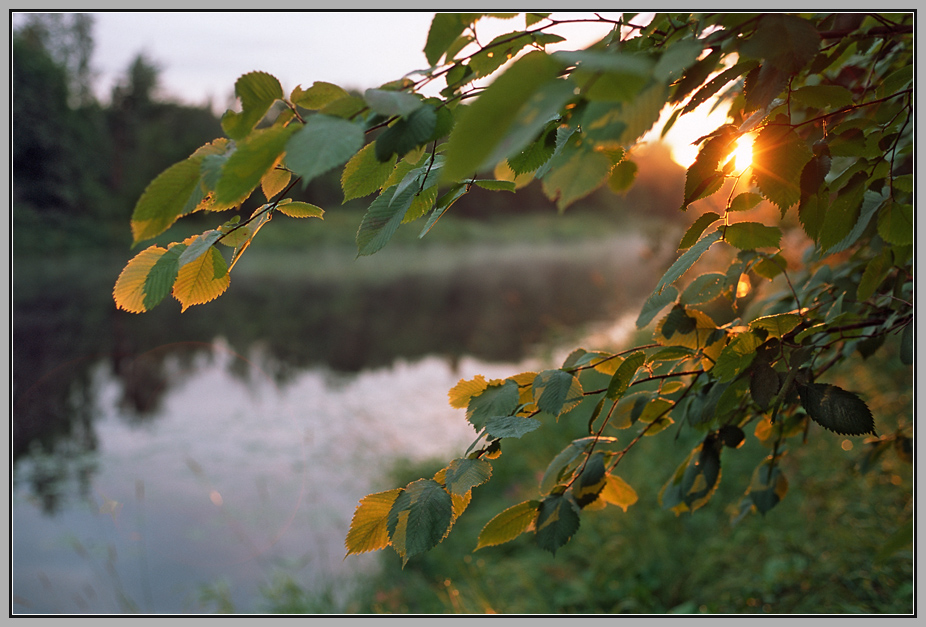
pixel 419 518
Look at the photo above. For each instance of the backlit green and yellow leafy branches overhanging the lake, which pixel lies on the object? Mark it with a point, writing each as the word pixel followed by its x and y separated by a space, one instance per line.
pixel 816 233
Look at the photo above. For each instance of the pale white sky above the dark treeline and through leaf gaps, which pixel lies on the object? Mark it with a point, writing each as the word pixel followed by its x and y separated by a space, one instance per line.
pixel 201 54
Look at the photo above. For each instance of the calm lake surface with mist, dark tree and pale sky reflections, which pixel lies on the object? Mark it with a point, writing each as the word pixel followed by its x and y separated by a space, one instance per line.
pixel 161 456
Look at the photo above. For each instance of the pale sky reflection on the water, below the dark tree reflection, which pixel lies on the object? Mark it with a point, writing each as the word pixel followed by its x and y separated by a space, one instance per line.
pixel 229 483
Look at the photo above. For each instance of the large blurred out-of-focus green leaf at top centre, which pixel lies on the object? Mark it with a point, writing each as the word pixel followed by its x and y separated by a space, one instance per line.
pixel 483 124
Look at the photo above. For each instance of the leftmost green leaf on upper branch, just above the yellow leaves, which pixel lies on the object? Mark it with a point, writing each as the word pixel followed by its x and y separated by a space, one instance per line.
pixel 165 199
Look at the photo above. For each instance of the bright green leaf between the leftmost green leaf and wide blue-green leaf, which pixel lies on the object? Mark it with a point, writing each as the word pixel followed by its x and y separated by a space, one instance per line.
pixel 254 156
